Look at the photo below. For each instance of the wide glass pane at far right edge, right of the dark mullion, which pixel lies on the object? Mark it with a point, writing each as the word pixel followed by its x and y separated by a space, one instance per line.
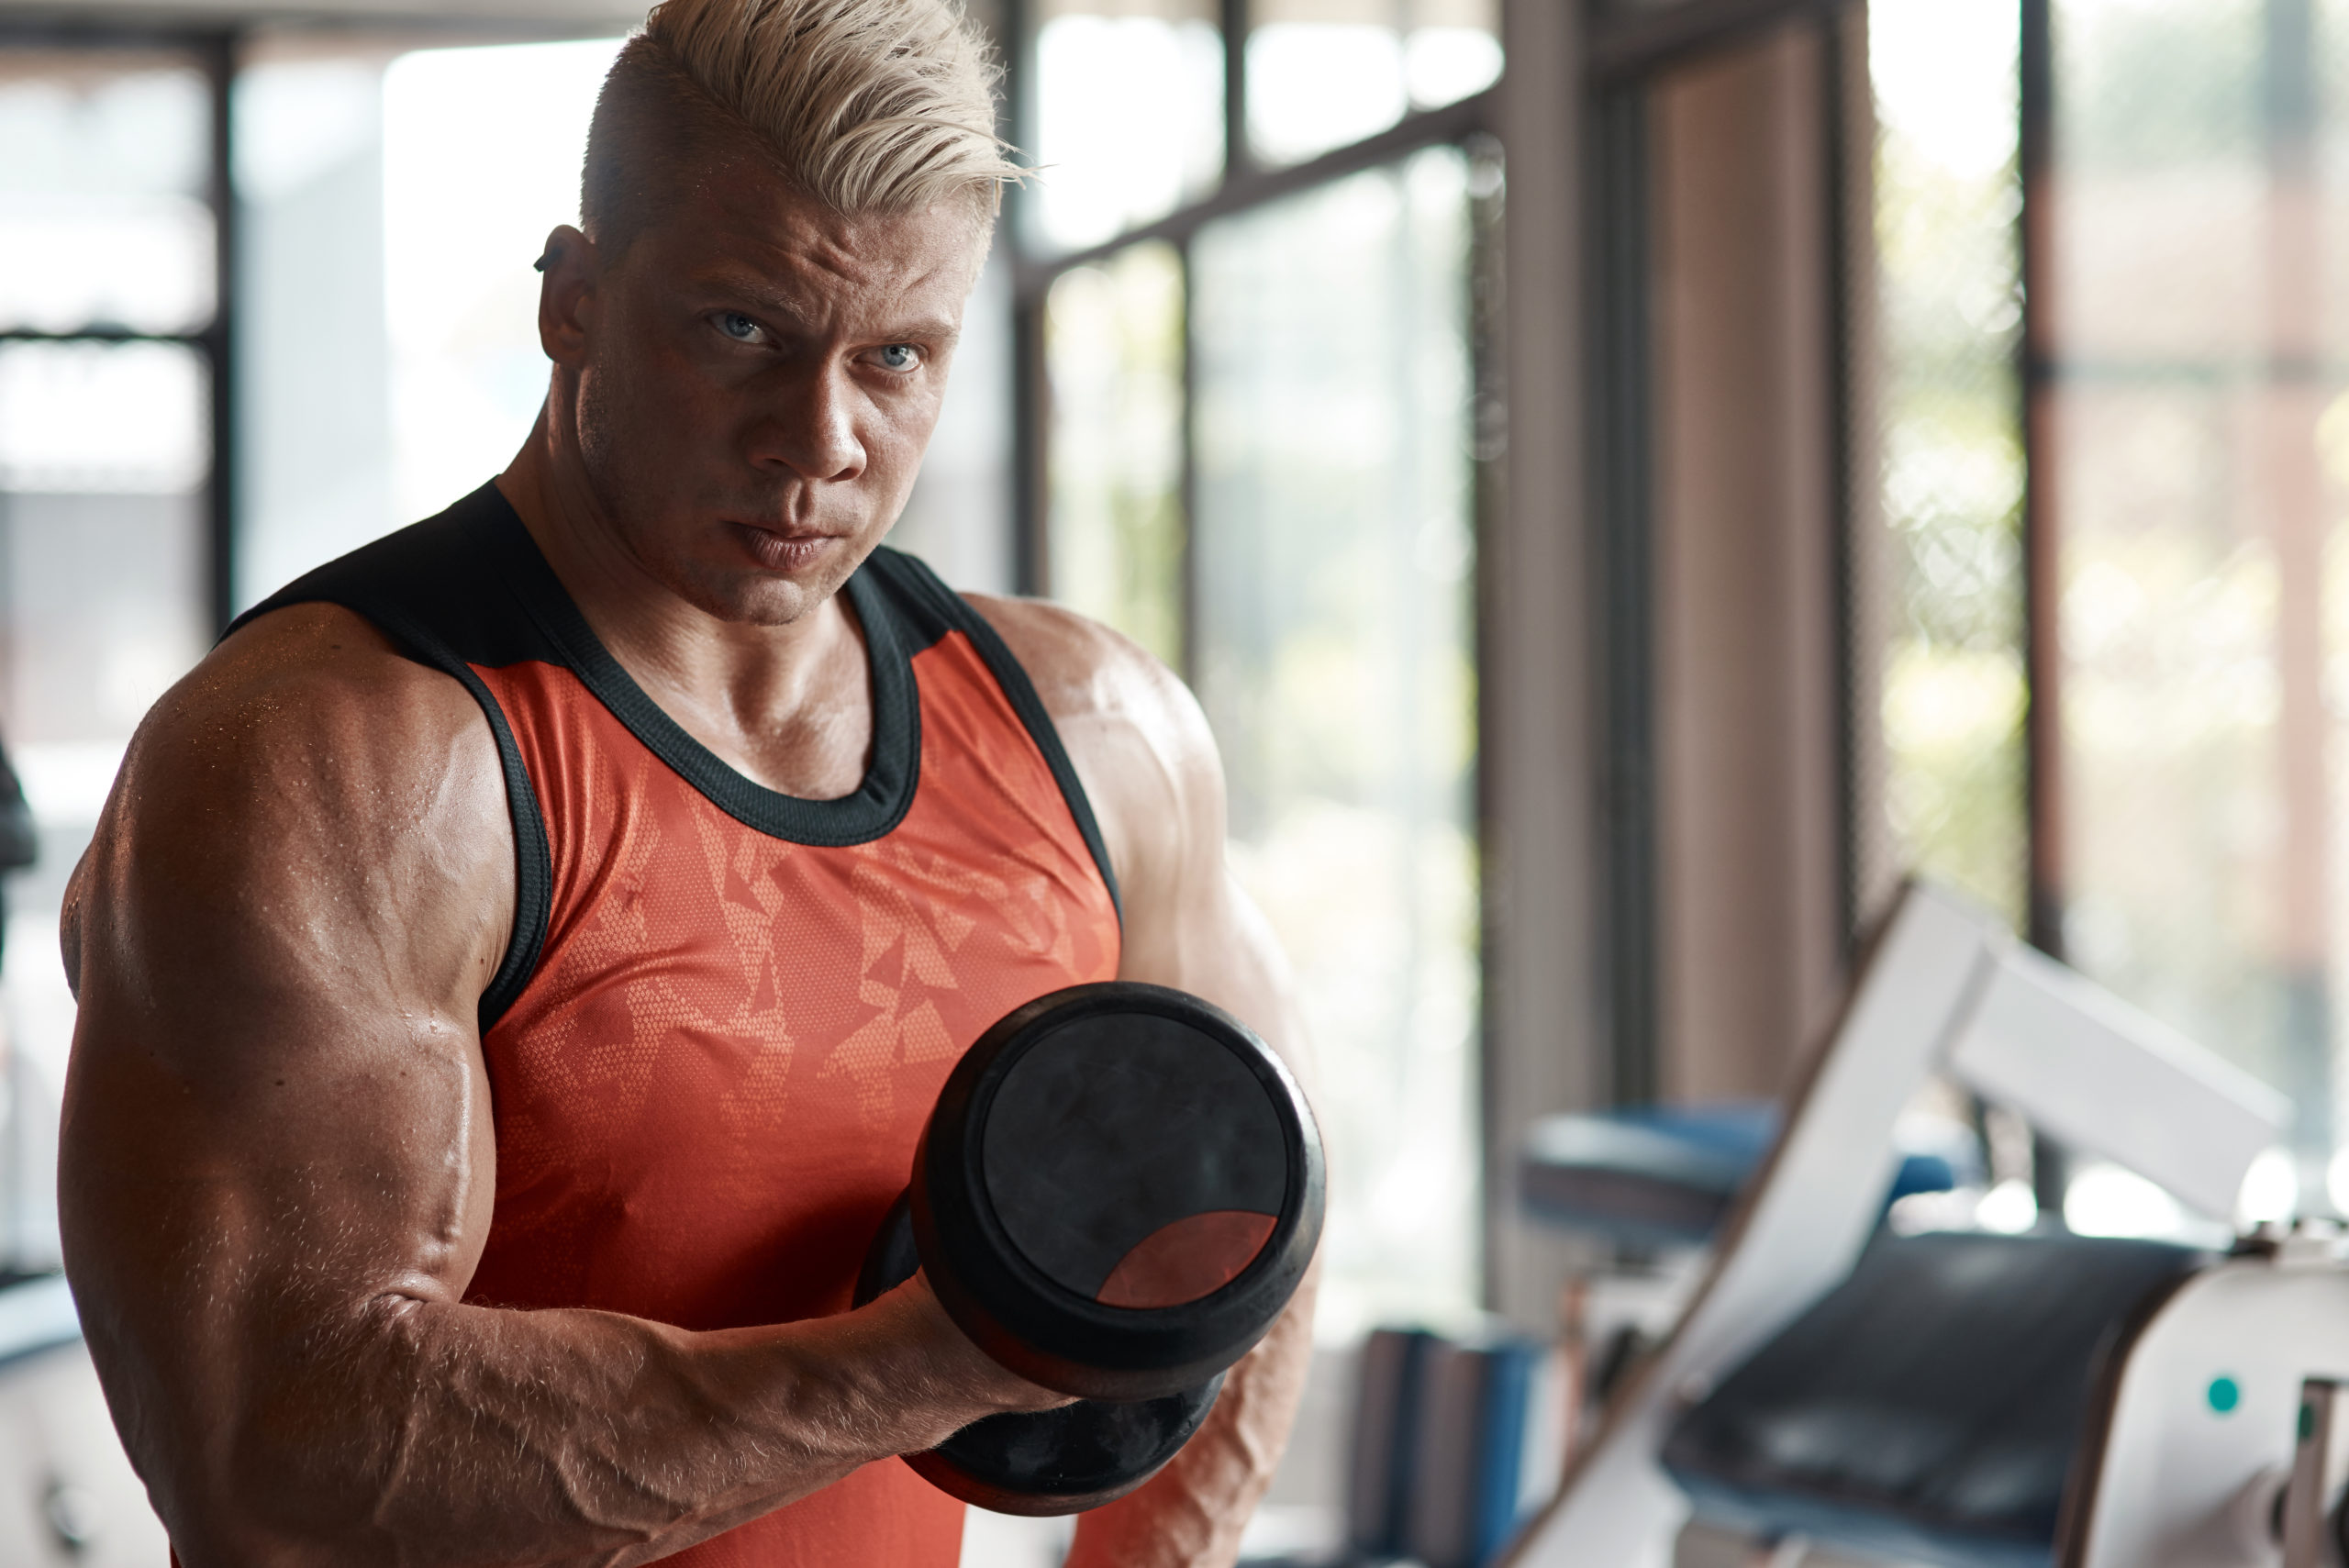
pixel 2200 384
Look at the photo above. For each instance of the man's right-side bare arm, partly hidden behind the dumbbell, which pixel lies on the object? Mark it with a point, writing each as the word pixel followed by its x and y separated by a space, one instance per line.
pixel 1143 750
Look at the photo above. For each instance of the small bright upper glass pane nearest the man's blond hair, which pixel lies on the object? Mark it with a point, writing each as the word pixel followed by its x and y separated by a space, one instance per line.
pixel 1129 114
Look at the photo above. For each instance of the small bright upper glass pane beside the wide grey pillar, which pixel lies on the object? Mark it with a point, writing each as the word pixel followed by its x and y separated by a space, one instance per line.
pixel 1331 72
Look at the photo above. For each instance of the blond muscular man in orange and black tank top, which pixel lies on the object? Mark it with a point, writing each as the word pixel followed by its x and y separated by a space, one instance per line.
pixel 518 961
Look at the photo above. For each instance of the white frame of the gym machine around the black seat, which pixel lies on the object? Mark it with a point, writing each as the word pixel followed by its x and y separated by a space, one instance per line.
pixel 2209 1438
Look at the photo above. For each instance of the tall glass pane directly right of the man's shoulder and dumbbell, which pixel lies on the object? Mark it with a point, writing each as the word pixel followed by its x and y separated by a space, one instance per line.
pixel 1335 661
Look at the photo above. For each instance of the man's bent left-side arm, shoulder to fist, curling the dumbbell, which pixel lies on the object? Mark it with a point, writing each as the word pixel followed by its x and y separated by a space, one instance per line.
pixel 278 1170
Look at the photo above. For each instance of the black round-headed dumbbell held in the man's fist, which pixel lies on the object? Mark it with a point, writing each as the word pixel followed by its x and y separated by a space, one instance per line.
pixel 1117 1196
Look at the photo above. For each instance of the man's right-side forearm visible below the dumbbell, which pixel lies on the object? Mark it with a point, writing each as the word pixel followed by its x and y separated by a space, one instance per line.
pixel 1194 1510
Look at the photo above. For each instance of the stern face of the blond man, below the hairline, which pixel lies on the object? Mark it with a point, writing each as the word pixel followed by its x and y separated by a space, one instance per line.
pixel 758 381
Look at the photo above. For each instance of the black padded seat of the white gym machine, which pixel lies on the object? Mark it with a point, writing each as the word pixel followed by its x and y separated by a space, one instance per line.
pixel 1925 1410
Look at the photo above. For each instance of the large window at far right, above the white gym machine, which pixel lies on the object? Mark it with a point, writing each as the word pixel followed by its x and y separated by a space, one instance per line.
pixel 2115 680
